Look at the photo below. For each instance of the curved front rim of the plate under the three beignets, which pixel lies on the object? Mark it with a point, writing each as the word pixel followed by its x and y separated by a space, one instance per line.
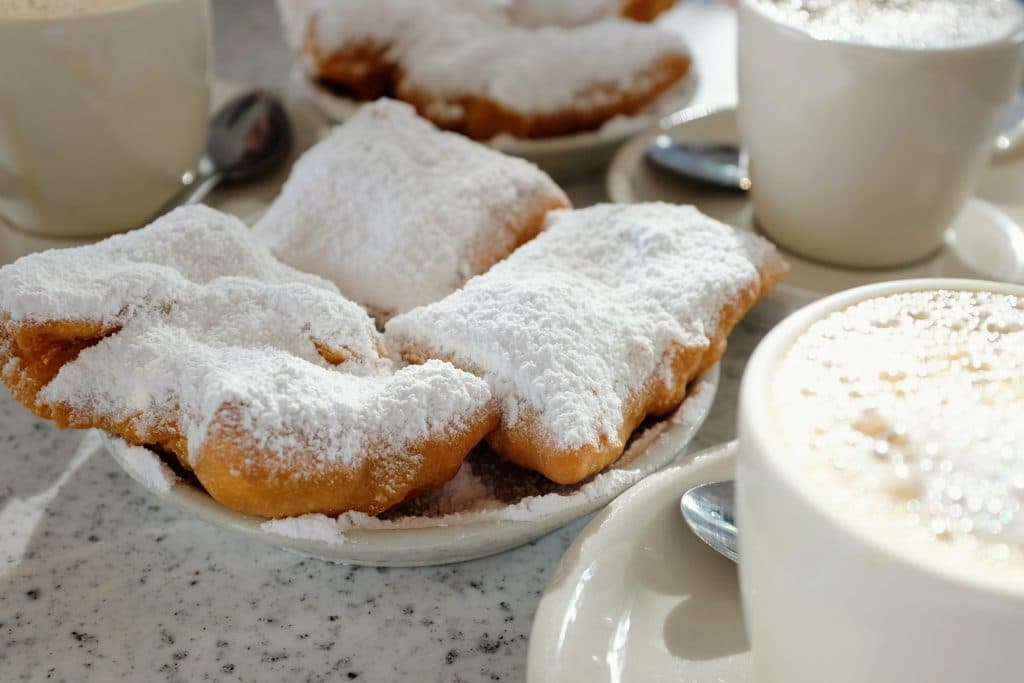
pixel 432 545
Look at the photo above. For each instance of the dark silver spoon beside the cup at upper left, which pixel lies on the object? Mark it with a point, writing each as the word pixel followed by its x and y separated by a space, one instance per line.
pixel 250 136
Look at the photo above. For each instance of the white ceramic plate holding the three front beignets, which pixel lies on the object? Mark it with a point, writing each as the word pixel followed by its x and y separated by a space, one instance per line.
pixel 449 539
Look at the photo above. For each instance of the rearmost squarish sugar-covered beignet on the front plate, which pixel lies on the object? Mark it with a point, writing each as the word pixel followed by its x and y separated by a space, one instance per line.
pixel 399 215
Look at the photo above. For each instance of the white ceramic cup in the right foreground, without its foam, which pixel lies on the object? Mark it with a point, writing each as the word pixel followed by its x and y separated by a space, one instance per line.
pixel 828 601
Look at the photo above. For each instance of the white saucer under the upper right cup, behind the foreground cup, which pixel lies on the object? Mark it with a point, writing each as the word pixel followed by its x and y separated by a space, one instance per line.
pixel 980 245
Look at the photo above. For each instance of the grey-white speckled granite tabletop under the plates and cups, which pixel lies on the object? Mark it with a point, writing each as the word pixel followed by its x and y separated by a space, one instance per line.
pixel 101 582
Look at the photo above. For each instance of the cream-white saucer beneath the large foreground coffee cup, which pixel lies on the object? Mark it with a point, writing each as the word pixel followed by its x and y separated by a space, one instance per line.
pixel 637 597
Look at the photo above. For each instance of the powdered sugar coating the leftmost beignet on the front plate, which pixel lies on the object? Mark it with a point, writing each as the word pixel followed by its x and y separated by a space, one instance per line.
pixel 292 366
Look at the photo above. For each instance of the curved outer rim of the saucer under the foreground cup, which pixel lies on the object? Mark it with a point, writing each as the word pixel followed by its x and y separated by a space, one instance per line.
pixel 546 635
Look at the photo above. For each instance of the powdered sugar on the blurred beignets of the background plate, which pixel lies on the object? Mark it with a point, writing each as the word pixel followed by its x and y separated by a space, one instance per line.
pixel 540 71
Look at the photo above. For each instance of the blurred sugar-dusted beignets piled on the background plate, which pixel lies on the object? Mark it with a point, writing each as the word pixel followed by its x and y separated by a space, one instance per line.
pixel 470 69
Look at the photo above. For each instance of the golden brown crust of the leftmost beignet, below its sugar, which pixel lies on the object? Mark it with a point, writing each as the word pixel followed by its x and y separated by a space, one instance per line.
pixel 233 468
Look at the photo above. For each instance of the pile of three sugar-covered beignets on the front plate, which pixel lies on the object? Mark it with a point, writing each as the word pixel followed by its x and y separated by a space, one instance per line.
pixel 278 393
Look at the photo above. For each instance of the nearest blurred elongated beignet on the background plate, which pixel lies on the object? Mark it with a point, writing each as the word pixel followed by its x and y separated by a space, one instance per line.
pixel 538 83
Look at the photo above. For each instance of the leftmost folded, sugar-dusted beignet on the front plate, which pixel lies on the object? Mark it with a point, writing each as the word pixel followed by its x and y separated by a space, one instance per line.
pixel 264 382
